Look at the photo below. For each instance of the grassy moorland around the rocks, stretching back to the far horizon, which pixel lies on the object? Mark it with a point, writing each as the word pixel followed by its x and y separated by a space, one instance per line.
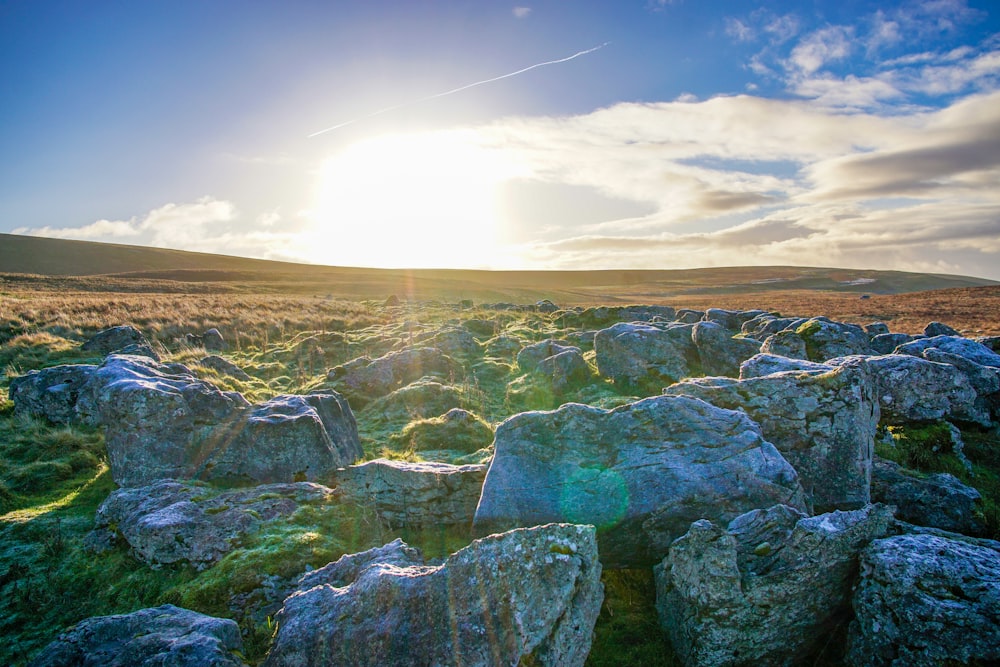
pixel 53 478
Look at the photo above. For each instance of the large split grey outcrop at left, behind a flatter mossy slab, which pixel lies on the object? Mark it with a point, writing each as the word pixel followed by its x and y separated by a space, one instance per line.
pixel 163 423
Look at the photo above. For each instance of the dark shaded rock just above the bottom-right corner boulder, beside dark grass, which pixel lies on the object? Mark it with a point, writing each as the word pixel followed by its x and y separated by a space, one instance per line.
pixel 937 500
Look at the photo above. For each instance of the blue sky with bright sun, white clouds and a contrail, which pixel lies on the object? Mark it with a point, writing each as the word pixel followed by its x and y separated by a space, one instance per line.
pixel 558 134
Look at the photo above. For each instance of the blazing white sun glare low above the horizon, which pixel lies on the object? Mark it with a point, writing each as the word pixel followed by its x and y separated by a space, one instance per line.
pixel 424 200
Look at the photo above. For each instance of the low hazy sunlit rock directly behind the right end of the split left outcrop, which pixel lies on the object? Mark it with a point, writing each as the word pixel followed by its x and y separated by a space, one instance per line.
pixel 378 377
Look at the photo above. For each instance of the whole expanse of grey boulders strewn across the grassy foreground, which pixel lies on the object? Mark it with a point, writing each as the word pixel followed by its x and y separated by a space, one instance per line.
pixel 730 453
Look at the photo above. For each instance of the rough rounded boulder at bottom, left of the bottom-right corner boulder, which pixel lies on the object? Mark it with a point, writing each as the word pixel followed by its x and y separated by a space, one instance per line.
pixel 766 589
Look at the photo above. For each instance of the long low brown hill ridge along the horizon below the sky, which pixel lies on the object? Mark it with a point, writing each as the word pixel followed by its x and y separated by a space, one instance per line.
pixel 82 262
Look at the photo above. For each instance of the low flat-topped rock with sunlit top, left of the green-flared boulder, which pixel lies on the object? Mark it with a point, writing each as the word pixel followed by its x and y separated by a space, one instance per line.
pixel 414 494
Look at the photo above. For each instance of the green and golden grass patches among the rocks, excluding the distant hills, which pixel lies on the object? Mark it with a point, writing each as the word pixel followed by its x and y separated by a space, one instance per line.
pixel 53 478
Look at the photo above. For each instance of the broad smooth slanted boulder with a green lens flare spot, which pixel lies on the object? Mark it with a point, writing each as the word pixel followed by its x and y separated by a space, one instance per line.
pixel 641 473
